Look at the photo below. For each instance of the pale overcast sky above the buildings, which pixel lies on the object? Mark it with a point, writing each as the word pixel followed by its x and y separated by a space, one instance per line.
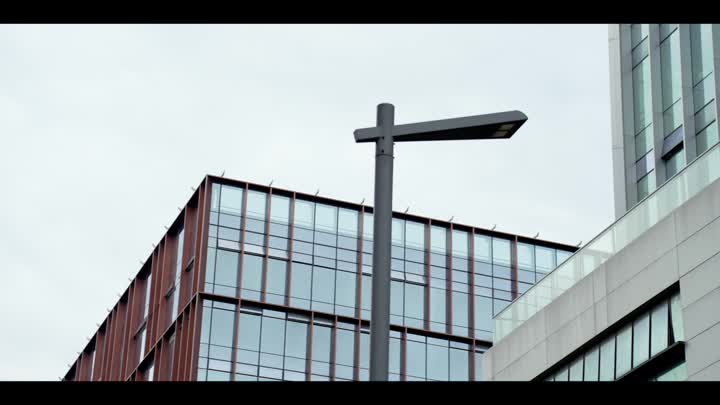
pixel 104 129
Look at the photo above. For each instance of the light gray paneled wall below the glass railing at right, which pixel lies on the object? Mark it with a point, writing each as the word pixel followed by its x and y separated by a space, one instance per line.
pixel 684 246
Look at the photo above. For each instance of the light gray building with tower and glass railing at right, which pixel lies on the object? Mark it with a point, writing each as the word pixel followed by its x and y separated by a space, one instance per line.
pixel 640 301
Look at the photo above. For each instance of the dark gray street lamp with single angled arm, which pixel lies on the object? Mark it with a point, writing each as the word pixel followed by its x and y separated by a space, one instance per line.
pixel 487 126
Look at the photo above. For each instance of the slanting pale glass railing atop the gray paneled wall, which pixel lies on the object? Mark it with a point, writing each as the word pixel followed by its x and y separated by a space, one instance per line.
pixel 648 212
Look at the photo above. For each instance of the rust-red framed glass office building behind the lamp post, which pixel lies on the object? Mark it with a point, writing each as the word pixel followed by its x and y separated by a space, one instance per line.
pixel 257 283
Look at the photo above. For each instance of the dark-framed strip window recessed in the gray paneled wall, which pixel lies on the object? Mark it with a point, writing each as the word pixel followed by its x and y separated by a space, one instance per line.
pixel 631 346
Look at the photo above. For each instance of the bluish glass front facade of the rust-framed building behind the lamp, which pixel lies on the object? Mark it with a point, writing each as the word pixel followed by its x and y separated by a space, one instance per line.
pixel 316 257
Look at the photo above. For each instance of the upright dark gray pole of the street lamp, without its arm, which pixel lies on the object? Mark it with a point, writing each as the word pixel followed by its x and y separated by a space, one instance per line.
pixel 382 228
